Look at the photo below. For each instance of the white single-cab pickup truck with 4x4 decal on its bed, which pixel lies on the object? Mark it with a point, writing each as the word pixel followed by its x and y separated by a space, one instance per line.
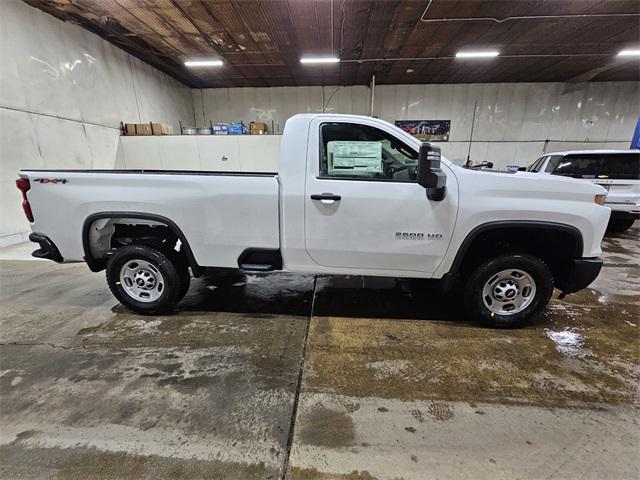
pixel 354 195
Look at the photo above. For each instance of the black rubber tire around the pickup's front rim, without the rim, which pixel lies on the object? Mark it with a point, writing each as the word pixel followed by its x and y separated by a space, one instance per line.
pixel 473 294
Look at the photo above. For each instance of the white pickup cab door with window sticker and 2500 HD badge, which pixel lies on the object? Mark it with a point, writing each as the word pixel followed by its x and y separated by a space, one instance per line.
pixel 363 207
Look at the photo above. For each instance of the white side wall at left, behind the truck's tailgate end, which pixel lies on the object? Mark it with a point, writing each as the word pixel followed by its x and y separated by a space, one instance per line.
pixel 63 93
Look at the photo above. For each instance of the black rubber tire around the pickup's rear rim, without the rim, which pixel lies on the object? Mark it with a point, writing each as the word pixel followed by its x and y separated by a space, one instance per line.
pixel 173 277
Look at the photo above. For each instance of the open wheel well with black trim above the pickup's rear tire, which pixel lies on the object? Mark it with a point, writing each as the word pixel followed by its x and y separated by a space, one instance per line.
pixel 104 233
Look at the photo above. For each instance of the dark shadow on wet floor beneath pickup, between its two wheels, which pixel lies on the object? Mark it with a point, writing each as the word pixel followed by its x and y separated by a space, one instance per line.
pixel 346 296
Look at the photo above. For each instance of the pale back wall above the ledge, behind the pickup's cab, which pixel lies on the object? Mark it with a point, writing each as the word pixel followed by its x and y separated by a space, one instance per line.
pixel 515 122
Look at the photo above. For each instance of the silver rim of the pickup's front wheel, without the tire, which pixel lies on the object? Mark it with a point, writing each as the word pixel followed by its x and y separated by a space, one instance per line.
pixel 509 292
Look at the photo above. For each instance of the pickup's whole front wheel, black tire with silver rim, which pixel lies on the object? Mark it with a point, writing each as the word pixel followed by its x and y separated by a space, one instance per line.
pixel 505 291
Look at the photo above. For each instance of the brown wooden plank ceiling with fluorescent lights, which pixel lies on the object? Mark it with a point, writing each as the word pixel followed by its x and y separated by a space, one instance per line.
pixel 261 41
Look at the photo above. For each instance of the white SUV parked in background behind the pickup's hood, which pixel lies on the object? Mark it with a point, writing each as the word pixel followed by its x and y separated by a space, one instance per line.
pixel 618 171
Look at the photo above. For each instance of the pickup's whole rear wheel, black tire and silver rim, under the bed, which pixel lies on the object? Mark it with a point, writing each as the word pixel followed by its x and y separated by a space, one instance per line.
pixel 146 280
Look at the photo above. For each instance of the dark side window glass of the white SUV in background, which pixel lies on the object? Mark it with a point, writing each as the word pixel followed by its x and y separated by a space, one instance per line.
pixel 605 166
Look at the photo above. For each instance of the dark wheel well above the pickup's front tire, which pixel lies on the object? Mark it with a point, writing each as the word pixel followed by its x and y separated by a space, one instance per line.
pixel 555 245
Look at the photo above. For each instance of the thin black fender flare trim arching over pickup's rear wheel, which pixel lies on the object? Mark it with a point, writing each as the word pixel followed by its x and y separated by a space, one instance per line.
pixel 97 264
